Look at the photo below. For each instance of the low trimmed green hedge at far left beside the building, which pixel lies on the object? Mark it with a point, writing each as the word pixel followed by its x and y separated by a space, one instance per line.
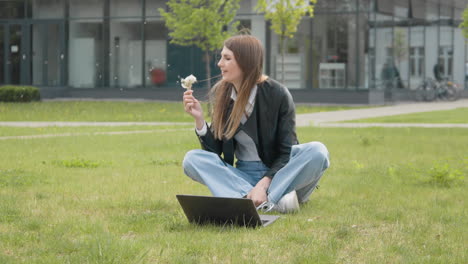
pixel 12 93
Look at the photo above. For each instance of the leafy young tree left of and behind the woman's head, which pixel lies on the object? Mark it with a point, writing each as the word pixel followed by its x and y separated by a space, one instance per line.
pixel 203 23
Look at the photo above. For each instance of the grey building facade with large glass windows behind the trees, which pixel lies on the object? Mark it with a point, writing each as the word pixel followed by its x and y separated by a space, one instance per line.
pixel 121 44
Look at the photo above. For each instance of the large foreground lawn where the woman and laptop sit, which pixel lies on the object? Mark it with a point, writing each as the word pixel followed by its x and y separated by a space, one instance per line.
pixel 111 199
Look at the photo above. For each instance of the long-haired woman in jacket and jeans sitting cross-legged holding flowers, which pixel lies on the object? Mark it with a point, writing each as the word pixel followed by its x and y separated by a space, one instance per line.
pixel 253 119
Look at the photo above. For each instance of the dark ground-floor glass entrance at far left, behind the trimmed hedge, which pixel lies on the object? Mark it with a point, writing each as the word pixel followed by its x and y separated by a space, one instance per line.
pixel 32 53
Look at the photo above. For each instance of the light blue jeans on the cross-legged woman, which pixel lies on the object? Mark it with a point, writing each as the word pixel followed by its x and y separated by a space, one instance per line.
pixel 303 171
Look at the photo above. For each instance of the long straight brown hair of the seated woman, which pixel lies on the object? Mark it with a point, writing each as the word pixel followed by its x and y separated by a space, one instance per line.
pixel 248 52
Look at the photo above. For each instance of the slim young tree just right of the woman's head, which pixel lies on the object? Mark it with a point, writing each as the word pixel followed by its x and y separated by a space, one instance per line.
pixel 285 16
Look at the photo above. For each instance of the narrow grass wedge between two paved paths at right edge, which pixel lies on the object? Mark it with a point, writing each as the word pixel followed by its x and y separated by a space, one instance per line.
pixel 455 116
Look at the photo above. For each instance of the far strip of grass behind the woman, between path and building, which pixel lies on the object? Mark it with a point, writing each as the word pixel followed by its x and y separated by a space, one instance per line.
pixel 95 111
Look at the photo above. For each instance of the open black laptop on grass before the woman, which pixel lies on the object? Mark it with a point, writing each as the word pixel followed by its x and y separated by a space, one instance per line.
pixel 223 211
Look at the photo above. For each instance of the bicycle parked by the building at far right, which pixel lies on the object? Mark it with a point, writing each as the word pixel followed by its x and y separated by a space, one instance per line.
pixel 430 90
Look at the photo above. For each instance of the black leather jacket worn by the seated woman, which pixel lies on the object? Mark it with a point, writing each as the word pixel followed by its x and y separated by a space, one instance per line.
pixel 272 126
